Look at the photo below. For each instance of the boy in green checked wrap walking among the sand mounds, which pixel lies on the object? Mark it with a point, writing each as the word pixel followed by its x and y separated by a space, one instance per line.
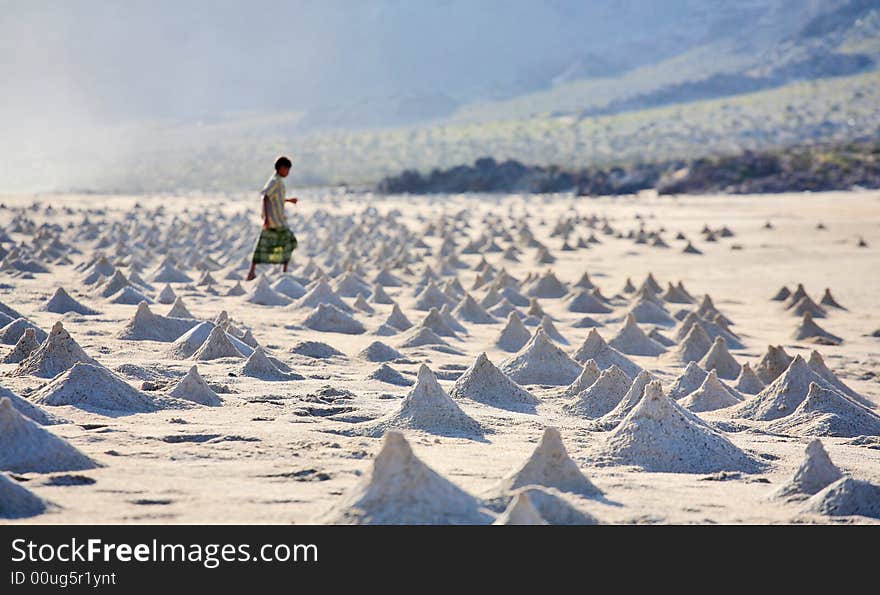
pixel 276 240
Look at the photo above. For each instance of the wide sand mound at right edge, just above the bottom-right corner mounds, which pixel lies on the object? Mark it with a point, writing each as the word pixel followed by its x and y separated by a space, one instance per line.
pixel 826 412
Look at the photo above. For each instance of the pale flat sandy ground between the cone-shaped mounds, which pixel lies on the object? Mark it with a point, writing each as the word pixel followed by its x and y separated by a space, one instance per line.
pixel 271 463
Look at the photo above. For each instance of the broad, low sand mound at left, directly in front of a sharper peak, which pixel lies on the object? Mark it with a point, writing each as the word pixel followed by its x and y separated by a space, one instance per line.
pixel 91 387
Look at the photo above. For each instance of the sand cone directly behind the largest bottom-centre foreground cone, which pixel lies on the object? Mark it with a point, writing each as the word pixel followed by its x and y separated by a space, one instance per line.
pixel 426 407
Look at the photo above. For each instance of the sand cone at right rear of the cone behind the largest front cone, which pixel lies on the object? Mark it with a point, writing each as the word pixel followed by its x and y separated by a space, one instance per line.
pixel 484 383
